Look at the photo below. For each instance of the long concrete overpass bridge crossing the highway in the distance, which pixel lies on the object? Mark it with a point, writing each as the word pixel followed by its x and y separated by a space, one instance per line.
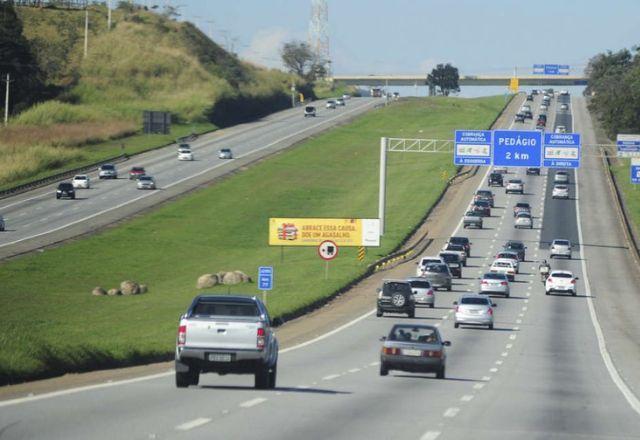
pixel 466 80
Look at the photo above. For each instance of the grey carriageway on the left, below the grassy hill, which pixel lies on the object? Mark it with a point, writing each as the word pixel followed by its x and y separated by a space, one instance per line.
pixel 36 219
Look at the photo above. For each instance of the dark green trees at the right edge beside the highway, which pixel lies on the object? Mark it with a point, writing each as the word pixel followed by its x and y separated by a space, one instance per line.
pixel 614 88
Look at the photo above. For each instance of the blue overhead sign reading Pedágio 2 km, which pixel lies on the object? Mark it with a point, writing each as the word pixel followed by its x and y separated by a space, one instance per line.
pixel 513 148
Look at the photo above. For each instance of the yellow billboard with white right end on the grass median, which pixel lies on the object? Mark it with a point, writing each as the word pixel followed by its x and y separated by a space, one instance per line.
pixel 313 231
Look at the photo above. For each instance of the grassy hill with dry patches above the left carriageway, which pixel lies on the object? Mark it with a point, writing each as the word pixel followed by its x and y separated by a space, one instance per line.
pixel 146 61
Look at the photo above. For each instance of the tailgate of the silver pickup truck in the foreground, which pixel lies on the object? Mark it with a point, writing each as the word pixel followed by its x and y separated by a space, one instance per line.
pixel 232 334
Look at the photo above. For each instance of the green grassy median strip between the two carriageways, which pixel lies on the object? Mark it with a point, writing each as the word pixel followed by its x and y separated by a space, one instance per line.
pixel 51 324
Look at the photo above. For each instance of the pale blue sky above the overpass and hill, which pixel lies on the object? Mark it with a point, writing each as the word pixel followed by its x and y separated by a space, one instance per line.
pixel 411 36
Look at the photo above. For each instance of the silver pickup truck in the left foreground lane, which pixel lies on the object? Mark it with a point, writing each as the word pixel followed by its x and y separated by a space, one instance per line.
pixel 226 334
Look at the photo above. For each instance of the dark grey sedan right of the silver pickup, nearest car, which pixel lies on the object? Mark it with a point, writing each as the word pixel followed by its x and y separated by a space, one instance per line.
pixel 414 348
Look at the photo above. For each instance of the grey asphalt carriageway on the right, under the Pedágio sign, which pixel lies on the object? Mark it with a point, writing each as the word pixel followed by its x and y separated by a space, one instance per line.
pixel 543 372
